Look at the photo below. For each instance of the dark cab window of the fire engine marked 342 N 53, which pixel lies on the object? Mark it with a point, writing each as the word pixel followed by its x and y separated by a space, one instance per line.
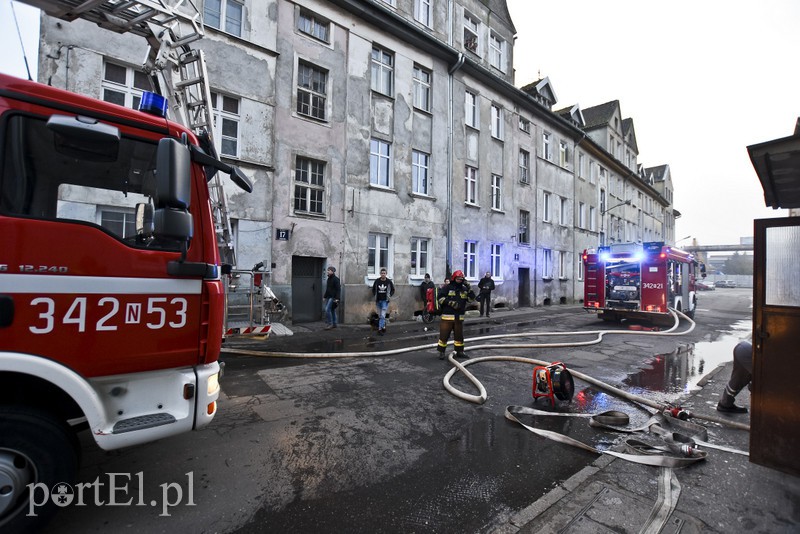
pixel 37 180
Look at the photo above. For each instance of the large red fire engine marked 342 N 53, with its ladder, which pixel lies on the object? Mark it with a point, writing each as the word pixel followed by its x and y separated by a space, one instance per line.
pixel 112 228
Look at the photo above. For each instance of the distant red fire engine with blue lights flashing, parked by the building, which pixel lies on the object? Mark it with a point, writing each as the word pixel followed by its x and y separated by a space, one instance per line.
pixel 640 281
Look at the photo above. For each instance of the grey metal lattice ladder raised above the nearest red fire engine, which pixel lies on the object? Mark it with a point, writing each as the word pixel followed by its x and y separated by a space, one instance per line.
pixel 169 26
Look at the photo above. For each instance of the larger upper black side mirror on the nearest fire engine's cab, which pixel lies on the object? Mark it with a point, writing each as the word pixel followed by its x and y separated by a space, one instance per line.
pixel 173 175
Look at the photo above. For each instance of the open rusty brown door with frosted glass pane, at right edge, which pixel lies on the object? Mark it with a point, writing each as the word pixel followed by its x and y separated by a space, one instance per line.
pixel 775 420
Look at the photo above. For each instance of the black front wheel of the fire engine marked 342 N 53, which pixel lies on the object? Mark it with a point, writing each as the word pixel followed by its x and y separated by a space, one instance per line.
pixel 35 448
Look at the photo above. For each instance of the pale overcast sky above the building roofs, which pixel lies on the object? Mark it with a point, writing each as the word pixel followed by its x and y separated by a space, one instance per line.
pixel 701 80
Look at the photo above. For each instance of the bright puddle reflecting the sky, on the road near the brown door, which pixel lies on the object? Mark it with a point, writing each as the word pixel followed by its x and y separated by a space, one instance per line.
pixel 673 375
